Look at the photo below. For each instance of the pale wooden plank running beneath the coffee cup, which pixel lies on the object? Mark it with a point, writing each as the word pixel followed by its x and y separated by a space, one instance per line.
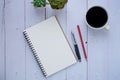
pixel 98 49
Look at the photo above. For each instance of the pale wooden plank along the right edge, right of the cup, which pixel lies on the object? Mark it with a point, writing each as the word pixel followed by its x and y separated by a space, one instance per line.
pixel 114 40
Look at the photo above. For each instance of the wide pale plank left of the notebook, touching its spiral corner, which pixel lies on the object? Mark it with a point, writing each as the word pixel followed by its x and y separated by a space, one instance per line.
pixel 15 44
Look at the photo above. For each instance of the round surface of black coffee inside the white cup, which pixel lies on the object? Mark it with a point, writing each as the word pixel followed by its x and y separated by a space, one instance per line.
pixel 96 17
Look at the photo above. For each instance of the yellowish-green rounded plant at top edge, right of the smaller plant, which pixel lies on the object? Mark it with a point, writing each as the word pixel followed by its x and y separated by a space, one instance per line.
pixel 57 4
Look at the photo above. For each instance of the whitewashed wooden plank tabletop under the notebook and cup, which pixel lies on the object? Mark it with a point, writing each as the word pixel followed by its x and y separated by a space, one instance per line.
pixel 103 47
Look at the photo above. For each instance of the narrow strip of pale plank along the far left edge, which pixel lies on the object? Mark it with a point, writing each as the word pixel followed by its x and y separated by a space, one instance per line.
pixel 2 55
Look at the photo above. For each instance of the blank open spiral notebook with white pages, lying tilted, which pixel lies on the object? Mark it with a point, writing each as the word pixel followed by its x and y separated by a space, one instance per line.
pixel 50 46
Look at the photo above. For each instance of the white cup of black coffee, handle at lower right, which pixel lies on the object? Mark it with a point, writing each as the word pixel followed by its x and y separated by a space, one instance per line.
pixel 97 18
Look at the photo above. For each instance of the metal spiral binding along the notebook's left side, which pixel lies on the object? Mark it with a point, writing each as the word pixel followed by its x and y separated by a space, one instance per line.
pixel 35 54
